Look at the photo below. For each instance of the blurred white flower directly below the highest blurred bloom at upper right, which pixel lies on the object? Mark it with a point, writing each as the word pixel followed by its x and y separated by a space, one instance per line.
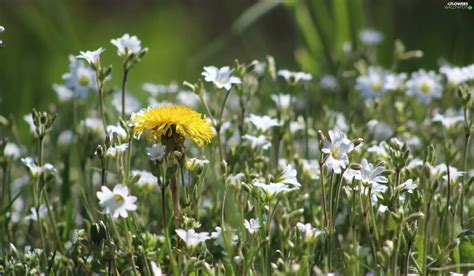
pixel 372 85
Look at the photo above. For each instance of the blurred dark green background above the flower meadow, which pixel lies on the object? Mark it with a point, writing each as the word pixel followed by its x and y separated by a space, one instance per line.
pixel 183 36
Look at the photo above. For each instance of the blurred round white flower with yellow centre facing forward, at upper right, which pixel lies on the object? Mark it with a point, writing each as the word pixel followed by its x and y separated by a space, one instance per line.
pixel 424 86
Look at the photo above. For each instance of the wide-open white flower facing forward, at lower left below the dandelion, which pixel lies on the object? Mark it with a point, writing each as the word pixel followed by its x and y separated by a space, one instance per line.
pixel 116 202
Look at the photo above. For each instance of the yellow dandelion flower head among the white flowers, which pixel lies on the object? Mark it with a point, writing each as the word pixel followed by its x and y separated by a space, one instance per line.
pixel 173 121
